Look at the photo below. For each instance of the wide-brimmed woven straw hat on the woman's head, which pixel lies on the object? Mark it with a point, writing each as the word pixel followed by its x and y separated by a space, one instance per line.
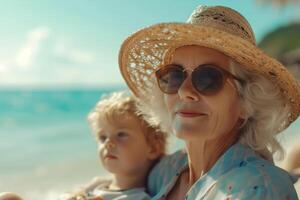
pixel 219 28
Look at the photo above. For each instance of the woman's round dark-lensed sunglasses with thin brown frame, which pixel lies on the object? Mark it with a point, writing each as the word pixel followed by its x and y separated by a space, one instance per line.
pixel 207 79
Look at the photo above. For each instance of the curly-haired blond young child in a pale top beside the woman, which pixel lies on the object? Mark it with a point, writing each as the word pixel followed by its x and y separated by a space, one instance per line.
pixel 128 147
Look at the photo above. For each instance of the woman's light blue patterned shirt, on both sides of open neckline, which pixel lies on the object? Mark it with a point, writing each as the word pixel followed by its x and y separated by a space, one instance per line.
pixel 238 174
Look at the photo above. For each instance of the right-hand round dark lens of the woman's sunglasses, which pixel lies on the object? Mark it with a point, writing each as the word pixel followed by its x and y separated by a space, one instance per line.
pixel 207 80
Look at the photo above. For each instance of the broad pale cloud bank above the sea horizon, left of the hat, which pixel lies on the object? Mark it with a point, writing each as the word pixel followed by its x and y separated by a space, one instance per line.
pixel 46 59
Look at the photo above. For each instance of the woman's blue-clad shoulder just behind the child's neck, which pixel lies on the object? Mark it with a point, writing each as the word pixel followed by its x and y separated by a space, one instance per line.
pixel 165 170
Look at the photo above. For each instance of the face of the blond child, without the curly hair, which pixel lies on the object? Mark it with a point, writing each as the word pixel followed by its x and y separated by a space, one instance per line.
pixel 122 146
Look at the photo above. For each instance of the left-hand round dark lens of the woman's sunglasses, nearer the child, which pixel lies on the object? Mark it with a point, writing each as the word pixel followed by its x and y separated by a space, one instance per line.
pixel 170 79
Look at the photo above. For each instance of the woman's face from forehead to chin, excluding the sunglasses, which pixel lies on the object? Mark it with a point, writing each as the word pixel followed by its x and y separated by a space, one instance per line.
pixel 200 117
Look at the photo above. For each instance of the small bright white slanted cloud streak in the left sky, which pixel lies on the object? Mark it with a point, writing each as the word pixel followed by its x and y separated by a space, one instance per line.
pixel 29 50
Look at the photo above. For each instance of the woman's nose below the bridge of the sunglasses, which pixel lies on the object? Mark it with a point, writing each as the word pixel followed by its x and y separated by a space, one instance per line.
pixel 187 91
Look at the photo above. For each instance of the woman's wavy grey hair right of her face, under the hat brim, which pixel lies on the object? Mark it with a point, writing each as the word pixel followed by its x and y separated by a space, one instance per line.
pixel 266 112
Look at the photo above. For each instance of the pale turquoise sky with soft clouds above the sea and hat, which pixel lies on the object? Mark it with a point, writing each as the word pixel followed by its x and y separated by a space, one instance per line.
pixel 71 44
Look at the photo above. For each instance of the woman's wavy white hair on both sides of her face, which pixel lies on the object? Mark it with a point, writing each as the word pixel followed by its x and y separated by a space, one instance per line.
pixel 266 113
